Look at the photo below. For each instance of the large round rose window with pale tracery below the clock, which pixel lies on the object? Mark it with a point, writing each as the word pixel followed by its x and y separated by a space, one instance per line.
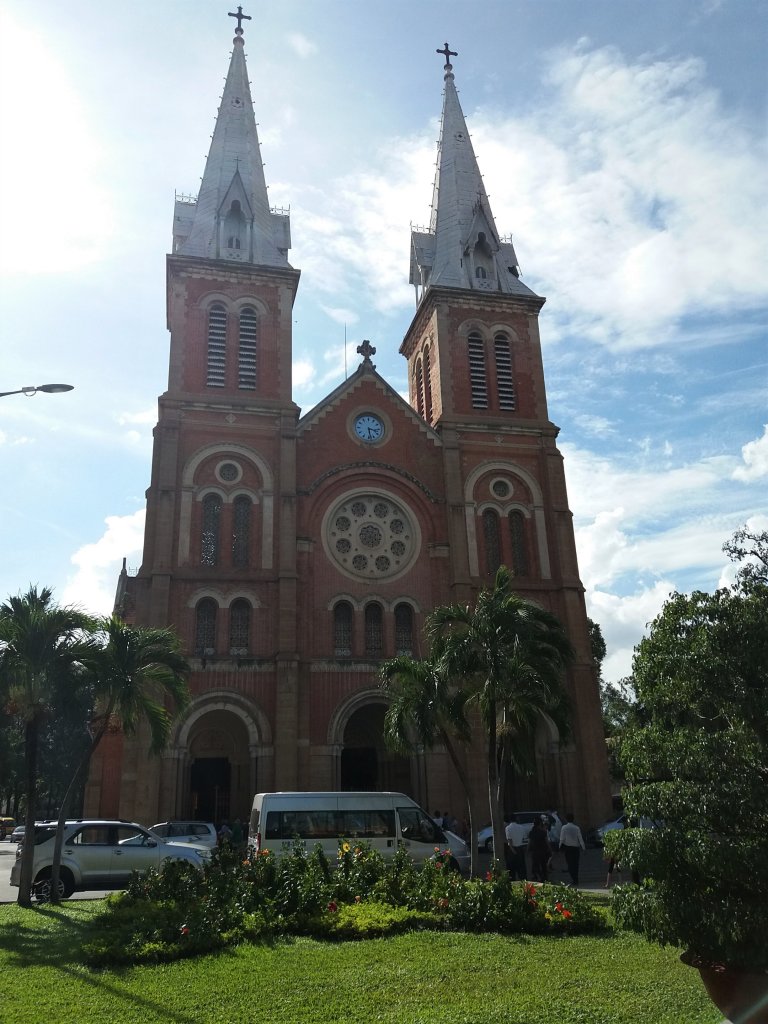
pixel 371 537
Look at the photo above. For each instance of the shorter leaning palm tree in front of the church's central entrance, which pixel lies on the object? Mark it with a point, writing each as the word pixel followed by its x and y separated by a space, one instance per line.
pixel 424 710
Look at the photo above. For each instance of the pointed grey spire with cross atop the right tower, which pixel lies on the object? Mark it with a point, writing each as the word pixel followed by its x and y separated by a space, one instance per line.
pixel 462 247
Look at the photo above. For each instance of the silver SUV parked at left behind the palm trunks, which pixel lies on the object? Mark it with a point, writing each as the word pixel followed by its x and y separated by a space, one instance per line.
pixel 97 855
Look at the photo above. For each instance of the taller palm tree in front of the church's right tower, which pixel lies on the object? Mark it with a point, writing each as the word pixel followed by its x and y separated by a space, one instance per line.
pixel 511 656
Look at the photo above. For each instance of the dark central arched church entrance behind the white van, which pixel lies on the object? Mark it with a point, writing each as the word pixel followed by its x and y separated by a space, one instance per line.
pixel 366 763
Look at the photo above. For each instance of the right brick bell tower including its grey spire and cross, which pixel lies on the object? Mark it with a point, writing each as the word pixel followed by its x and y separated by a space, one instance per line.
pixel 477 376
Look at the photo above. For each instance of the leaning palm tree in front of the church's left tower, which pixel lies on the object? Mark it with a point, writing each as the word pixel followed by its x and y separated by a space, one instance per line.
pixel 137 671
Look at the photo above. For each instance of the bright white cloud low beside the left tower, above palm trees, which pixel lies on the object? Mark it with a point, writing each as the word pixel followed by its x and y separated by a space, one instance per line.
pixel 99 565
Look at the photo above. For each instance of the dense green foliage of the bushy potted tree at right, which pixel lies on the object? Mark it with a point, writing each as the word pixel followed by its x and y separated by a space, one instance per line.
pixel 697 761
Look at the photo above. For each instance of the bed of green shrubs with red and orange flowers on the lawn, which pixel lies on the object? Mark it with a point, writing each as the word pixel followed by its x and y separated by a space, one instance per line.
pixel 181 911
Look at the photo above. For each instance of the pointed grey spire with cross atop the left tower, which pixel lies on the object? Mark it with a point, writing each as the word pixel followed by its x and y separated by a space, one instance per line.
pixel 232 220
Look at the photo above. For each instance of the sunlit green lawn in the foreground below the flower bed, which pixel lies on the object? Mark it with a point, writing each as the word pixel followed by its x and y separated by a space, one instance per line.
pixel 425 978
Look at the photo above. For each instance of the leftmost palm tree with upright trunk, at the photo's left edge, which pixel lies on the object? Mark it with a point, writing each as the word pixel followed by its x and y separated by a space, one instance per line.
pixel 41 645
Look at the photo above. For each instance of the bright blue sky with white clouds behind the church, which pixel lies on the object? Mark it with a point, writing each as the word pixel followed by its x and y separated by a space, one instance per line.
pixel 623 146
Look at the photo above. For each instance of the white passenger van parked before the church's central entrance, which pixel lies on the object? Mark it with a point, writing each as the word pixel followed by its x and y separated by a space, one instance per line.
pixel 387 821
